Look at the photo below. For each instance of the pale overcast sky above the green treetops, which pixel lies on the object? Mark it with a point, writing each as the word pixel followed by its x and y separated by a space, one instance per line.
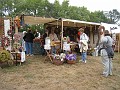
pixel 92 5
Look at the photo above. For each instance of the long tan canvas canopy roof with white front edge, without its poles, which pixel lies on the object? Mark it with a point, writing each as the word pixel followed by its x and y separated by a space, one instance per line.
pixel 33 20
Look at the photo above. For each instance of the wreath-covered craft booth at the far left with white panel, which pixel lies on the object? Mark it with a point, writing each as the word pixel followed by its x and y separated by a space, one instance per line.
pixel 9 38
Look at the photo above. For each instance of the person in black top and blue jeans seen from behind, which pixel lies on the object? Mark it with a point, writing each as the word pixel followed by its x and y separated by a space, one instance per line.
pixel 28 38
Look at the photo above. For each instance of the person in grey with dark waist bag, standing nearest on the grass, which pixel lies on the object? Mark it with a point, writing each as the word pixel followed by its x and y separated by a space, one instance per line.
pixel 107 52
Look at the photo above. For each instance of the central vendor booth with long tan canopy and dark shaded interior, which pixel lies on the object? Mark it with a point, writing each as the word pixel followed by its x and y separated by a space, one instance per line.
pixel 65 27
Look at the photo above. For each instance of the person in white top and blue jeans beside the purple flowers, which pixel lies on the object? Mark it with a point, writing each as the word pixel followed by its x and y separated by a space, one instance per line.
pixel 83 44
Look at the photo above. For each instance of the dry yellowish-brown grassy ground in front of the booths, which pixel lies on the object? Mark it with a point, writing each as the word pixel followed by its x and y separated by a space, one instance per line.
pixel 35 74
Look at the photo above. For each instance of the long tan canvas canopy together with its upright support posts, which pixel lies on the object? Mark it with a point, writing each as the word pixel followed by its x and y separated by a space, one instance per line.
pixel 61 22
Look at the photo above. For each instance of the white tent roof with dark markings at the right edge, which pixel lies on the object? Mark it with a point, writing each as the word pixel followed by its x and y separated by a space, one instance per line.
pixel 112 28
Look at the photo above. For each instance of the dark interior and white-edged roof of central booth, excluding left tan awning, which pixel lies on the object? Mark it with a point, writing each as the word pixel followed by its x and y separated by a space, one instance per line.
pixel 68 27
